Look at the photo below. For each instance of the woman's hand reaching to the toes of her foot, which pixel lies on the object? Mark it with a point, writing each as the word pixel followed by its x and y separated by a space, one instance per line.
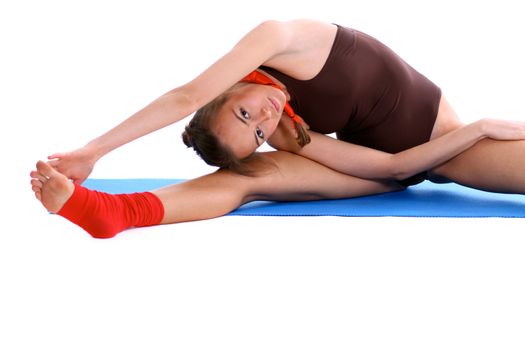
pixel 76 165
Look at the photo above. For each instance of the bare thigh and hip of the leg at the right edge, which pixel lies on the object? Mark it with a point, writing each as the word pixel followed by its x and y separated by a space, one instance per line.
pixel 497 166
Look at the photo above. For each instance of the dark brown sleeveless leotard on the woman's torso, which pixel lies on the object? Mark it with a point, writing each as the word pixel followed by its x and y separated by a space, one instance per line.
pixel 367 95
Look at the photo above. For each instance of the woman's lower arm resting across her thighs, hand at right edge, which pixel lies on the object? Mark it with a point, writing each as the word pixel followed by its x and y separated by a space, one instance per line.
pixel 372 164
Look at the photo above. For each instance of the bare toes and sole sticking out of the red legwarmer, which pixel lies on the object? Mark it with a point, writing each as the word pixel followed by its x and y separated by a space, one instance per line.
pixel 51 188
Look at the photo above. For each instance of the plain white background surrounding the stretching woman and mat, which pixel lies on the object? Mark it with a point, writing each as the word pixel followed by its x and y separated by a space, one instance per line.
pixel 69 70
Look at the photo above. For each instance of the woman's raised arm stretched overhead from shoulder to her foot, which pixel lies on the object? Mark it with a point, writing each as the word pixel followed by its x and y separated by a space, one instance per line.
pixel 265 42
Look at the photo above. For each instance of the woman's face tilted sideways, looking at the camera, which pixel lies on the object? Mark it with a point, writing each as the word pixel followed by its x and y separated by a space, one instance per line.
pixel 249 117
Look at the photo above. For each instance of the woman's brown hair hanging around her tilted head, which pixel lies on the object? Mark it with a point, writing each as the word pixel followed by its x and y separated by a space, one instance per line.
pixel 198 135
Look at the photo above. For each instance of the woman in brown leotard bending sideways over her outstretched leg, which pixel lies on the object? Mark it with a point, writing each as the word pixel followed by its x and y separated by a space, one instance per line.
pixel 394 125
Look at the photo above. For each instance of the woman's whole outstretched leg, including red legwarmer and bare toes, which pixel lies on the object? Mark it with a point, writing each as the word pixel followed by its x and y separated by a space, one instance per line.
pixel 282 176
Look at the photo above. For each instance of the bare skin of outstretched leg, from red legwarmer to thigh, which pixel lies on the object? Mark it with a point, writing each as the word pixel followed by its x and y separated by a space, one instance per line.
pixel 282 176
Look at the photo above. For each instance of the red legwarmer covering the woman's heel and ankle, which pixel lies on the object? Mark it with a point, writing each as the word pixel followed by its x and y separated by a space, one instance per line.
pixel 103 215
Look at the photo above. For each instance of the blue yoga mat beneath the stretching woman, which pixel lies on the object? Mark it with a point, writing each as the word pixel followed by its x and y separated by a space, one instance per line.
pixel 424 200
